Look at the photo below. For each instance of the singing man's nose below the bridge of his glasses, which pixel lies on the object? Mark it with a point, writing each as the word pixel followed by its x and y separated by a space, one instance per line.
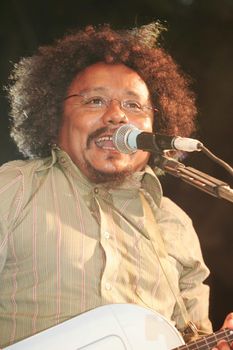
pixel 114 115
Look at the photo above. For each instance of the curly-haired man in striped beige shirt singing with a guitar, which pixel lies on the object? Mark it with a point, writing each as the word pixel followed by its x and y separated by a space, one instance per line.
pixel 81 223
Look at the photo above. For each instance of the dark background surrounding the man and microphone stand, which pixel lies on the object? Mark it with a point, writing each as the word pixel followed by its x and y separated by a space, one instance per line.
pixel 200 38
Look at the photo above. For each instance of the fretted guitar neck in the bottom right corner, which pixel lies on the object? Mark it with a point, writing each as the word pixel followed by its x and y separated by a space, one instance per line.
pixel 210 341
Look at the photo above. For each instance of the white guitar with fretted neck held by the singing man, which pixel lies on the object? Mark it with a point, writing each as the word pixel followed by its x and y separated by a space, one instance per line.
pixel 116 327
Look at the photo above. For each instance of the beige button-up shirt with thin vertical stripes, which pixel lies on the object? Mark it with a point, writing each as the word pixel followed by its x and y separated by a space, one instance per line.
pixel 68 245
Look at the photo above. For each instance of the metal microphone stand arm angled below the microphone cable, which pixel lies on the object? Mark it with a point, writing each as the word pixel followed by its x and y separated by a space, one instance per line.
pixel 196 178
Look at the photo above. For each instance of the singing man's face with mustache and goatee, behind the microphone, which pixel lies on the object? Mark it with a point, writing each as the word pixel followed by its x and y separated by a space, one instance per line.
pixel 85 131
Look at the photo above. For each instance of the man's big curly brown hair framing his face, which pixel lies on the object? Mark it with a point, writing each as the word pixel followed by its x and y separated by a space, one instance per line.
pixel 38 84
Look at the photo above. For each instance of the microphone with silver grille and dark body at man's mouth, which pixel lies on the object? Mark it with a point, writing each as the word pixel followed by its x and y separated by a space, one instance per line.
pixel 128 139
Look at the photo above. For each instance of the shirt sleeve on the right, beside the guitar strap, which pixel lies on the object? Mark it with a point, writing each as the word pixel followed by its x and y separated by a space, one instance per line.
pixel 182 244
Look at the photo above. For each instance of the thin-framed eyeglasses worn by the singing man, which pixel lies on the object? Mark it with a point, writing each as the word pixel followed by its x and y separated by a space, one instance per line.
pixel 101 103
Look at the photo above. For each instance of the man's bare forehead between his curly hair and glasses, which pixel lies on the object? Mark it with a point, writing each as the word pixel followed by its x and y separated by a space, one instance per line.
pixel 109 78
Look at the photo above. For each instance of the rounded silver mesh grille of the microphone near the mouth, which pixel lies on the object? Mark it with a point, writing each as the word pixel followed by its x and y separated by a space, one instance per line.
pixel 120 138
